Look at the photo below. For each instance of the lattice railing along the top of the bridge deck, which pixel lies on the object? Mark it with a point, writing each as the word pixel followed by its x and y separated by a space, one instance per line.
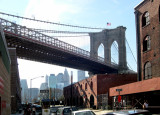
pixel 29 34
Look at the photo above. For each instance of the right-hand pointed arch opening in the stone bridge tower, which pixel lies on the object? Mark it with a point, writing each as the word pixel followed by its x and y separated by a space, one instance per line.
pixel 115 52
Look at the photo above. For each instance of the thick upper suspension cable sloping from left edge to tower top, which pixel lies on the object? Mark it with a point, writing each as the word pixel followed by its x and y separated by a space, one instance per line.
pixel 50 22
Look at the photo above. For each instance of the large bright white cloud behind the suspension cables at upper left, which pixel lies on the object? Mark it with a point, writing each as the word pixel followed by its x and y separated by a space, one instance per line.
pixel 54 11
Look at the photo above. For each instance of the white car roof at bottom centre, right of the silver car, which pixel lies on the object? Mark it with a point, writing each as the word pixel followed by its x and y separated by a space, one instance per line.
pixel 83 112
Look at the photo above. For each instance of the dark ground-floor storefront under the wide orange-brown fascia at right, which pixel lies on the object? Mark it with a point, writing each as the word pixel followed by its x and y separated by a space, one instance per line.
pixel 134 95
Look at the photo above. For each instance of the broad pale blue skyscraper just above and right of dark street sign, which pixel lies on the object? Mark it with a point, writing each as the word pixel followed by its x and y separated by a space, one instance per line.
pixel 52 81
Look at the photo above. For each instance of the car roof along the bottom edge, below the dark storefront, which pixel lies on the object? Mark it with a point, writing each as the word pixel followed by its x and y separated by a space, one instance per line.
pixel 130 112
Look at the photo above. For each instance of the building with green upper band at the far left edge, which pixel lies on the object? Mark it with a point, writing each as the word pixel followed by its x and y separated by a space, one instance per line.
pixel 5 94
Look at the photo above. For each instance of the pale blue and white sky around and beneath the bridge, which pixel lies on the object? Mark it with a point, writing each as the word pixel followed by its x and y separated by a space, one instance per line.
pixel 91 13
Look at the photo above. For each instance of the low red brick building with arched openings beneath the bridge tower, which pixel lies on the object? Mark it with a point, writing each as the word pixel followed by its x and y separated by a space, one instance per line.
pixel 89 92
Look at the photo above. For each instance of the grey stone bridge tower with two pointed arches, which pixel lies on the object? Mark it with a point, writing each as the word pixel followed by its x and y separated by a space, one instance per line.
pixel 107 37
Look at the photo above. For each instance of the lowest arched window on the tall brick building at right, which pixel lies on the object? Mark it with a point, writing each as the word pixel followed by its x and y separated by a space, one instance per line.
pixel 147 70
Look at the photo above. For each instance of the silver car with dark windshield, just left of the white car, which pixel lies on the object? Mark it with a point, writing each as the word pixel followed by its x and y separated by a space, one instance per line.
pixel 66 110
